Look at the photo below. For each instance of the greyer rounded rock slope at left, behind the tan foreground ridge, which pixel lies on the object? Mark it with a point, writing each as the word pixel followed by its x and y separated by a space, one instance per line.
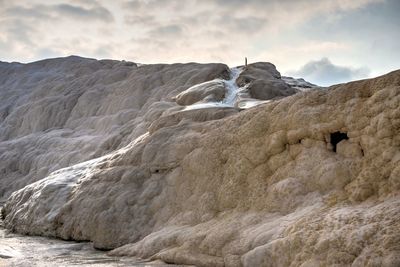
pixel 58 112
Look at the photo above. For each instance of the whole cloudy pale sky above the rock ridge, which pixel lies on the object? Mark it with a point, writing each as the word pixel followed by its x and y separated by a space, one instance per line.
pixel 323 41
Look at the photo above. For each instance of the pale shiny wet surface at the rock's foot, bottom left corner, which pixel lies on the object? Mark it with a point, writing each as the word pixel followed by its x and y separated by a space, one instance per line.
pixel 17 250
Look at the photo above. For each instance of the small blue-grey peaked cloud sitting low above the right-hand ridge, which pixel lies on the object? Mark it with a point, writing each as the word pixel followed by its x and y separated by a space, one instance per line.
pixel 324 72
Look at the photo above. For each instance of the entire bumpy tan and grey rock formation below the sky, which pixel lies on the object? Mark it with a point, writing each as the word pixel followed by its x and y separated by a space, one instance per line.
pixel 303 179
